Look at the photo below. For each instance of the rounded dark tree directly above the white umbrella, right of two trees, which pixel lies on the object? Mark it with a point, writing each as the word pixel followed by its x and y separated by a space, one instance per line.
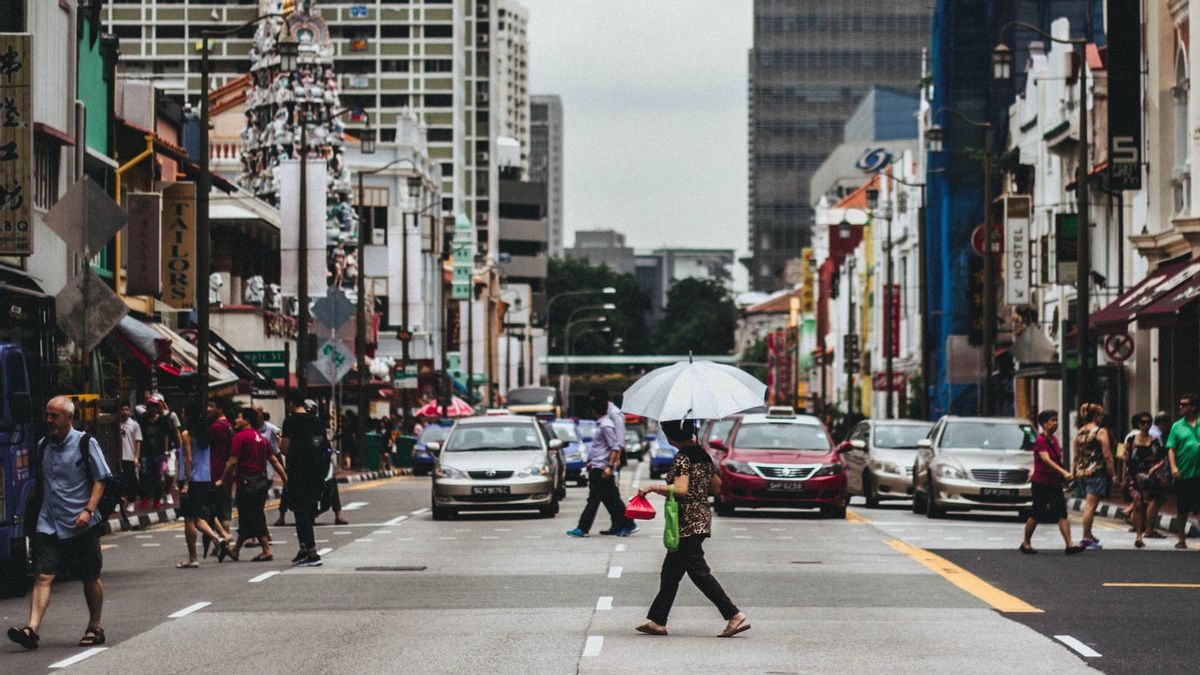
pixel 700 318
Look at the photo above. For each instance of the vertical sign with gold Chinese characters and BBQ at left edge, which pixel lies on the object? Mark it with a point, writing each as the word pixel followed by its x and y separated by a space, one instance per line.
pixel 16 146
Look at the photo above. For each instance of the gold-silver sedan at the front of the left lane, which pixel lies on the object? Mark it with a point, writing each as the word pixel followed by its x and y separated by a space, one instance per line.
pixel 499 463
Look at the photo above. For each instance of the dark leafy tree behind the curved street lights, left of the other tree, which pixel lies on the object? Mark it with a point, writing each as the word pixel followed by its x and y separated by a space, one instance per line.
pixel 628 321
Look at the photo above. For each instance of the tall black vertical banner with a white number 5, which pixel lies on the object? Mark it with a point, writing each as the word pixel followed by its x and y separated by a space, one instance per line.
pixel 1124 28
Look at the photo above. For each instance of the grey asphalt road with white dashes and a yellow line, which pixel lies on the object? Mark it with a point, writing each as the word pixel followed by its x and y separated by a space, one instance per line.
pixel 513 594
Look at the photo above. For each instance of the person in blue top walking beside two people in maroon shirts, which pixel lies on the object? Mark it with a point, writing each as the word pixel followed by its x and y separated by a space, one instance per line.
pixel 196 488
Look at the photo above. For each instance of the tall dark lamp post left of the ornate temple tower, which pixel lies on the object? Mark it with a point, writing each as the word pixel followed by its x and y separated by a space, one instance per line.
pixel 289 50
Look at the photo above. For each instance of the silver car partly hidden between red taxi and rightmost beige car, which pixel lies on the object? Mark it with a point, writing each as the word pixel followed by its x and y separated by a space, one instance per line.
pixel 879 458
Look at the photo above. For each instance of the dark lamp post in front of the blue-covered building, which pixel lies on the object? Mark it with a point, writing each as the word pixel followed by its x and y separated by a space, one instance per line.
pixel 934 138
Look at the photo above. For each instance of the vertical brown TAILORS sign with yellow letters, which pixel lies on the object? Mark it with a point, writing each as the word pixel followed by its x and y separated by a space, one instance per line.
pixel 179 246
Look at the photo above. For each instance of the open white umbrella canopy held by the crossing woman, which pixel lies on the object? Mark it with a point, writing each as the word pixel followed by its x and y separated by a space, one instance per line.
pixel 694 391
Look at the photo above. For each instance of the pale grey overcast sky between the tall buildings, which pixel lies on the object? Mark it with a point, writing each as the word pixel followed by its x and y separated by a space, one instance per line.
pixel 655 109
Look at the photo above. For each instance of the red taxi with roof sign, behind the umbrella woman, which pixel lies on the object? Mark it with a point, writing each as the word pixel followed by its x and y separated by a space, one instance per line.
pixel 779 461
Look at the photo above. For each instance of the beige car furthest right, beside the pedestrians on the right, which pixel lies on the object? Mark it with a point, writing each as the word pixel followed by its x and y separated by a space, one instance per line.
pixel 975 464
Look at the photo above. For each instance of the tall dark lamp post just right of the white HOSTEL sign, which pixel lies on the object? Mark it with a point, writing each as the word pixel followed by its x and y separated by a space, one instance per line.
pixel 1003 69
